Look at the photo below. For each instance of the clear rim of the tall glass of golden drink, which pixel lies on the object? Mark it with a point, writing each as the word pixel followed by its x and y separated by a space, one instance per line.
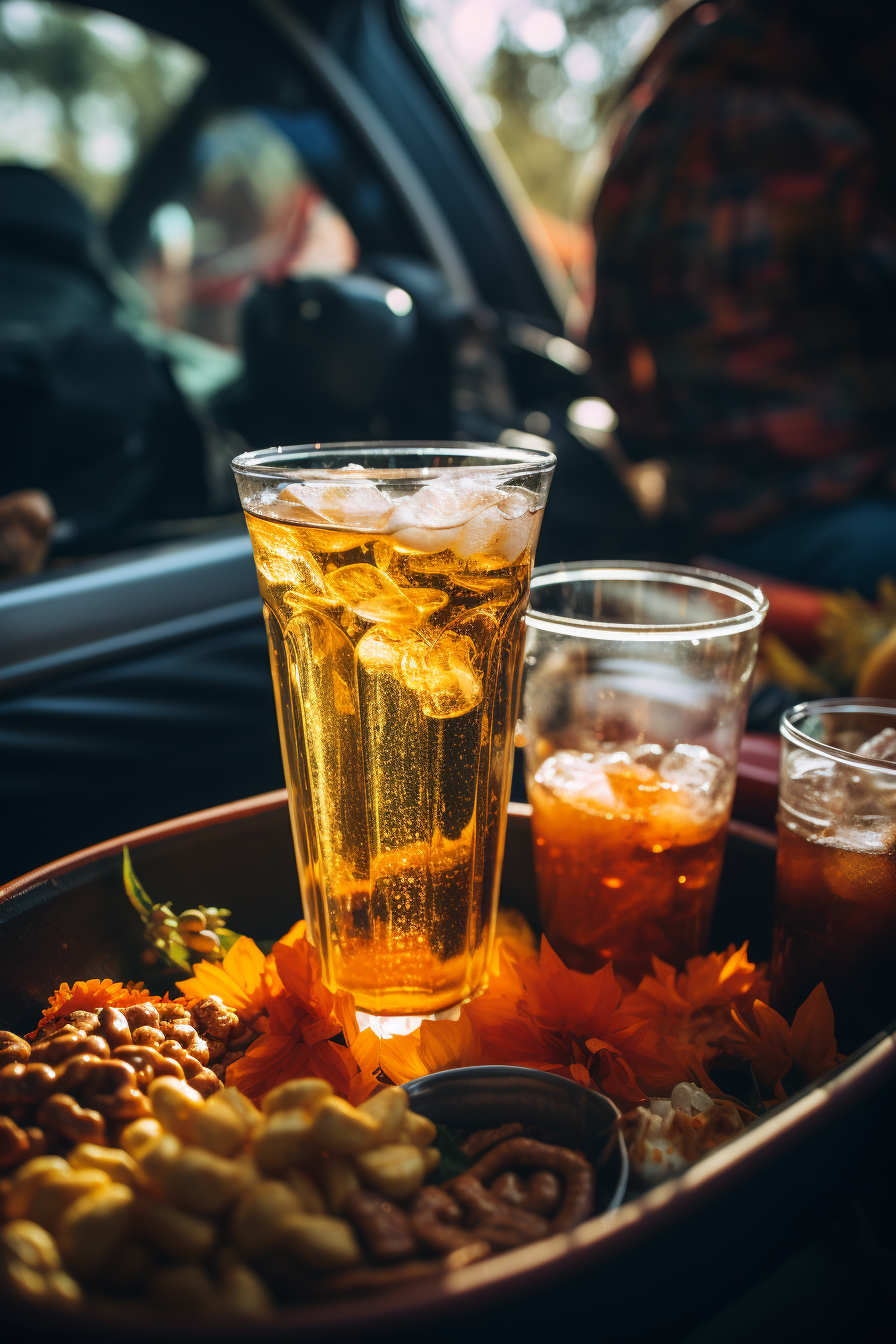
pixel 271 464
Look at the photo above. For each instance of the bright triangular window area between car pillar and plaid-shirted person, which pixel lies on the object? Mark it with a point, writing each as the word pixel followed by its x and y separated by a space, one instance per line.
pixel 535 83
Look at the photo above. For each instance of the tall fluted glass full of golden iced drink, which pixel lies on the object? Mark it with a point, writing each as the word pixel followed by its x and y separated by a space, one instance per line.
pixel 396 581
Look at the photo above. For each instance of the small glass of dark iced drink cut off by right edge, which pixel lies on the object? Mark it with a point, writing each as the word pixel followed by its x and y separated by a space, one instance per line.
pixel 836 886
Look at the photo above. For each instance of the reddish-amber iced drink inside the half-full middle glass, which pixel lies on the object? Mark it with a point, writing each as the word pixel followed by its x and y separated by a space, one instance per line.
pixel 628 862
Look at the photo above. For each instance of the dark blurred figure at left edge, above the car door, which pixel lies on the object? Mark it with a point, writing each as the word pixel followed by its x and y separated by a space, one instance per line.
pixel 95 427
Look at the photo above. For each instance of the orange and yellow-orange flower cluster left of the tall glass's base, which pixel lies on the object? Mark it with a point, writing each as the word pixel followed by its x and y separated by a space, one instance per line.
pixel 284 998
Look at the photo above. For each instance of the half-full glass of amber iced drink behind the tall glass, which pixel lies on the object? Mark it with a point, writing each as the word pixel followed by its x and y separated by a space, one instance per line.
pixel 636 694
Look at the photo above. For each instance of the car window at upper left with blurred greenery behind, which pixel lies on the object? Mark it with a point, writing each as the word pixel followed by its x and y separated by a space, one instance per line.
pixel 205 189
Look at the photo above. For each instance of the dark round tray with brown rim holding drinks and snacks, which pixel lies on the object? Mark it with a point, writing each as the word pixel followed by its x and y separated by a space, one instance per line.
pixel 663 1263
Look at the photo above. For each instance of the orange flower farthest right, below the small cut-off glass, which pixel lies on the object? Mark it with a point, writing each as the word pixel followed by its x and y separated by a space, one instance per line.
pixel 808 1046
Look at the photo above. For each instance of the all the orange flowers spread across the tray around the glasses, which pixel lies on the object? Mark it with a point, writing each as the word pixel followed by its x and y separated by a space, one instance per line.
pixel 535 1013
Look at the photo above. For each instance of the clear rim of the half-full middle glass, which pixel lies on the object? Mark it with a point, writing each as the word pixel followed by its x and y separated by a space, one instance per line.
pixel 707 581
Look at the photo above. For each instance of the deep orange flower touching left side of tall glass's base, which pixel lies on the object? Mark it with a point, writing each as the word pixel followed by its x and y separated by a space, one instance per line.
pixel 303 1017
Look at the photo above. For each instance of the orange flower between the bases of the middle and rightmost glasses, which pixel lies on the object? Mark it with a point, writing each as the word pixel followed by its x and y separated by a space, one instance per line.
pixel 694 1007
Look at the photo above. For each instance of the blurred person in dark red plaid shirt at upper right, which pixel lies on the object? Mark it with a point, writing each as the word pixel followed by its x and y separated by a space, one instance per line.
pixel 745 327
